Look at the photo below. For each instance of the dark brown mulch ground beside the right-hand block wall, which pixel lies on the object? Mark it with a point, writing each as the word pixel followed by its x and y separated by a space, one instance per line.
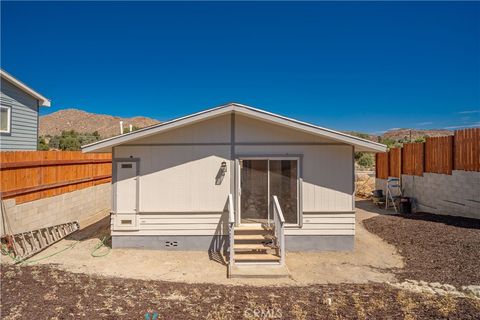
pixel 436 248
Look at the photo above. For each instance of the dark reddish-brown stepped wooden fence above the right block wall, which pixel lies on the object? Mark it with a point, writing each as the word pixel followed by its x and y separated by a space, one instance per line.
pixel 437 155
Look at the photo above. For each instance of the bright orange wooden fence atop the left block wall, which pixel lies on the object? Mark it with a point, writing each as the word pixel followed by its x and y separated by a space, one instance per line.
pixel 32 175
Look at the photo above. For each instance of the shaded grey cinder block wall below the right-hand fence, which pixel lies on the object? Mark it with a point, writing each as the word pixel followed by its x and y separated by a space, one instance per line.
pixel 457 194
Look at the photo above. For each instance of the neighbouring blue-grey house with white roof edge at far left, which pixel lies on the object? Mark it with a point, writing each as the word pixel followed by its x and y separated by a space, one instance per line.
pixel 19 110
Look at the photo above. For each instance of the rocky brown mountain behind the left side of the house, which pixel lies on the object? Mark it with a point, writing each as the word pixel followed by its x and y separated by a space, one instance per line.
pixel 85 122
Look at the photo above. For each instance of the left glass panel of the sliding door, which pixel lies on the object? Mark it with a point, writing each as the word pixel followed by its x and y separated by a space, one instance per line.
pixel 254 191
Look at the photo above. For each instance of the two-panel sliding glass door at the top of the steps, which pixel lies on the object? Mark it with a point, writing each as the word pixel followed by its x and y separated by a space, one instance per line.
pixel 262 178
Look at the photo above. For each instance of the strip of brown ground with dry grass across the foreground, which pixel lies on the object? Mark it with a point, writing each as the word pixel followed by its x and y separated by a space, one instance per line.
pixel 43 292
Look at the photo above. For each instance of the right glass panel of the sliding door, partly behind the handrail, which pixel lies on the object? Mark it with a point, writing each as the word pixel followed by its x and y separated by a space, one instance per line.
pixel 284 185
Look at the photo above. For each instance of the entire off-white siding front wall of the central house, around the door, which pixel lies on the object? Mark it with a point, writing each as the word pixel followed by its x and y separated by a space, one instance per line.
pixel 177 190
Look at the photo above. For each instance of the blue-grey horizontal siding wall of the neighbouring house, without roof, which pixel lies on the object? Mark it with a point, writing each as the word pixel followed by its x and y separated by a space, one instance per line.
pixel 24 119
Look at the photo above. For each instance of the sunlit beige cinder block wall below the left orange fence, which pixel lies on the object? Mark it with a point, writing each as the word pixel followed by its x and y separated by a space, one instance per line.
pixel 76 205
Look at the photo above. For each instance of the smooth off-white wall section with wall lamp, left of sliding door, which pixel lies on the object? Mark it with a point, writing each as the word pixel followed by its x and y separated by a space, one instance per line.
pixel 180 178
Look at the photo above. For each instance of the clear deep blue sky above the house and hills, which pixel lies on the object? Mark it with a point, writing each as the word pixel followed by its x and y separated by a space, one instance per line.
pixel 349 66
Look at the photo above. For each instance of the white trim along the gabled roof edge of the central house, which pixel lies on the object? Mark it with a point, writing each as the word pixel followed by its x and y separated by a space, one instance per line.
pixel 359 143
